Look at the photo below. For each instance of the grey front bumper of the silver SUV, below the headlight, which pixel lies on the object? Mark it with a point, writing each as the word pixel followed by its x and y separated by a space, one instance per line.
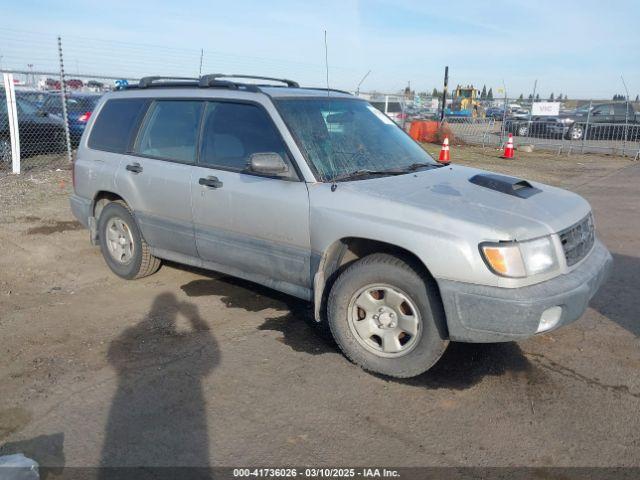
pixel 478 313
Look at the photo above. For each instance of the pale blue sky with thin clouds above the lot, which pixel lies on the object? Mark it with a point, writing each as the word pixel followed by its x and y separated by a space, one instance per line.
pixel 579 48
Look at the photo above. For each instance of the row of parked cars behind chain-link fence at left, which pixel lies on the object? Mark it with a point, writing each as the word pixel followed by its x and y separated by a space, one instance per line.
pixel 40 123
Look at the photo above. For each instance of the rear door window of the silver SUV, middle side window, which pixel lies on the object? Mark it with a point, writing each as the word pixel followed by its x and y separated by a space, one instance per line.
pixel 170 130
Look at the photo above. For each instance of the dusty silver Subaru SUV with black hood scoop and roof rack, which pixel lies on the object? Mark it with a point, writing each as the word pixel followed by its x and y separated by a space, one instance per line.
pixel 317 194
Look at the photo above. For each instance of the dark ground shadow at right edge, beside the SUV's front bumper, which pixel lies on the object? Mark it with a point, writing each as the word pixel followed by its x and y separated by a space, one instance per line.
pixel 619 299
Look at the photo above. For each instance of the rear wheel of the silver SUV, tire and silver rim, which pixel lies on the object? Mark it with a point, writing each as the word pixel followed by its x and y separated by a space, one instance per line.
pixel 133 260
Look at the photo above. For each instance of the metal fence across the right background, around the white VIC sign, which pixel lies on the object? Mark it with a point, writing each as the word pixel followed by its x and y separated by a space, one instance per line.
pixel 586 126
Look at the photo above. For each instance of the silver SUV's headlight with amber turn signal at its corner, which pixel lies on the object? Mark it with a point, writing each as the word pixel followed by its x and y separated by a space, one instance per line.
pixel 520 259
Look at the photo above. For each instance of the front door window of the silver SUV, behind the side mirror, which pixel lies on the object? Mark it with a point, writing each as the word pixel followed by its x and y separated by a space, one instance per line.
pixel 233 132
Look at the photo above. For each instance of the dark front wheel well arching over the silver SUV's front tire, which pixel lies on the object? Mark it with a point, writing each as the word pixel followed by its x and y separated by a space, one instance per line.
pixel 348 250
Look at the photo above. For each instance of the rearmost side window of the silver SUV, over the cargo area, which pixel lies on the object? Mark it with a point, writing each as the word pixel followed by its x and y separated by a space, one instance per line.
pixel 113 129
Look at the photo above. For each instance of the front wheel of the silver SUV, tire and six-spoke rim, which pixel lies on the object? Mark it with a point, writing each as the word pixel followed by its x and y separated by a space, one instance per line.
pixel 410 354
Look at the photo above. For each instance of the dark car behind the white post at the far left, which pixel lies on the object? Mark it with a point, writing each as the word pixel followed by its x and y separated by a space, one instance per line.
pixel 39 132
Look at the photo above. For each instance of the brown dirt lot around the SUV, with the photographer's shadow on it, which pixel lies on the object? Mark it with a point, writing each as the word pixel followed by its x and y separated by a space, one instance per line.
pixel 190 368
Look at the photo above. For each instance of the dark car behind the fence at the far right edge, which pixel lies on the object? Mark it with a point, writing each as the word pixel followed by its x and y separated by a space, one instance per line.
pixel 603 121
